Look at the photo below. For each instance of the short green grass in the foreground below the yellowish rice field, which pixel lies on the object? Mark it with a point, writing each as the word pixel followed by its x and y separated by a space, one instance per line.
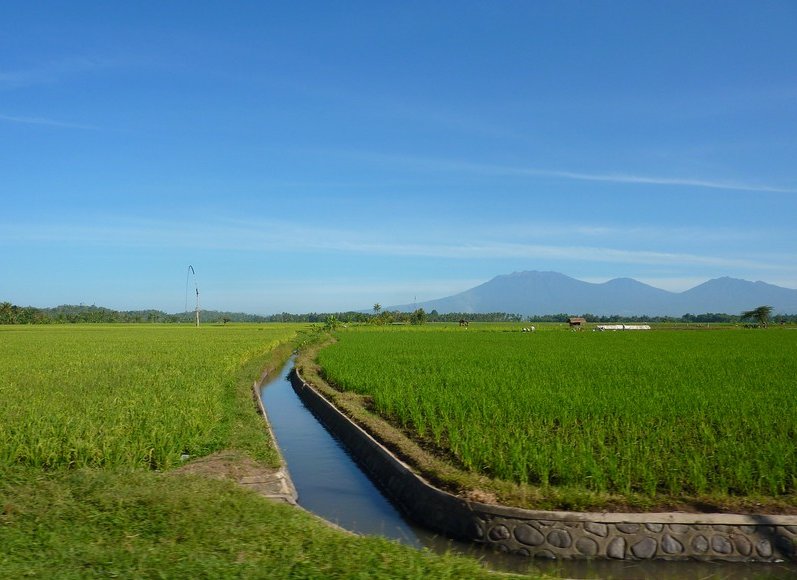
pixel 97 523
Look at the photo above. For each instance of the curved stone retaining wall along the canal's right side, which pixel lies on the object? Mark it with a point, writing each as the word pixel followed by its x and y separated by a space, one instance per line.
pixel 553 534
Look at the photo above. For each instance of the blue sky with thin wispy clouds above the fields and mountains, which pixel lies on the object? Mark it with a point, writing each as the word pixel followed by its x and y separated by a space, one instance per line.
pixel 327 156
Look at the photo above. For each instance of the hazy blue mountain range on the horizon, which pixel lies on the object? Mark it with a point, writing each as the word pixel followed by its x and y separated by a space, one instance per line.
pixel 539 293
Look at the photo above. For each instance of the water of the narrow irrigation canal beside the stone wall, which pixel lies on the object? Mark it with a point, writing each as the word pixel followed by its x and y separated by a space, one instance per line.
pixel 331 485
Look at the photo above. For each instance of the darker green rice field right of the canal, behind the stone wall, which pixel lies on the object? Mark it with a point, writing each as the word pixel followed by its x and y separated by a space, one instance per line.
pixel 674 412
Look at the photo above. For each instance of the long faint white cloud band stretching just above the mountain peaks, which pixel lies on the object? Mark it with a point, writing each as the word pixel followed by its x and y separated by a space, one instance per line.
pixel 288 237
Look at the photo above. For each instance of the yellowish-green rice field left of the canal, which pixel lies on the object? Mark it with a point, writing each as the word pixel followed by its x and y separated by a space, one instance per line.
pixel 122 395
